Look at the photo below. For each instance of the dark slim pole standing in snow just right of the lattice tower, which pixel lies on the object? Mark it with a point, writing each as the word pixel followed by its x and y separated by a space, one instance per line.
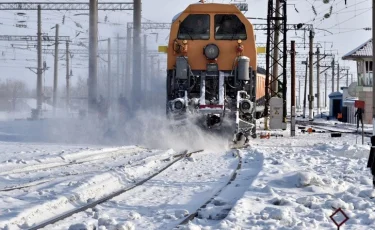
pixel 293 90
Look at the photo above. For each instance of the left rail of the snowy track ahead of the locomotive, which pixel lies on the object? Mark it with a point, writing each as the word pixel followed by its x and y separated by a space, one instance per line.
pixel 53 220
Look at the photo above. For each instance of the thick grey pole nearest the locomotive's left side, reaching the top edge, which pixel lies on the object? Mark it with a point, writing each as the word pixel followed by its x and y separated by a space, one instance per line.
pixel 137 56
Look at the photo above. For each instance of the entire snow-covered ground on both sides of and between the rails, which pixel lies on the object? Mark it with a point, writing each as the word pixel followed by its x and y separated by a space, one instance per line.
pixel 284 183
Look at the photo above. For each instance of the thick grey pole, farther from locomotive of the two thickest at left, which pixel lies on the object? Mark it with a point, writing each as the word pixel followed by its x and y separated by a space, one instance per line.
pixel 93 51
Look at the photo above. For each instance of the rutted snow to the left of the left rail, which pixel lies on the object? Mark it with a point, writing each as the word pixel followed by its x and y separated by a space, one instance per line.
pixel 36 185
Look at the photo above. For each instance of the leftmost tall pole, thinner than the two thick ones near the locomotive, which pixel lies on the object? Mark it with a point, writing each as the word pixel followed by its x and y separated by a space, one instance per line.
pixel 39 70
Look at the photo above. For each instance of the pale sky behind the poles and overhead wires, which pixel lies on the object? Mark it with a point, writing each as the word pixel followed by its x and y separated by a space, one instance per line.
pixel 346 23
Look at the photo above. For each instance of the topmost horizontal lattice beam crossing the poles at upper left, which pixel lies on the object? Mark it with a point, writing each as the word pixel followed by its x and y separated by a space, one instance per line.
pixel 65 5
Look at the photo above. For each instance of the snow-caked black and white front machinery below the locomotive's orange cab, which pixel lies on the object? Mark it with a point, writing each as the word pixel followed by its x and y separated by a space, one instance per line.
pixel 219 101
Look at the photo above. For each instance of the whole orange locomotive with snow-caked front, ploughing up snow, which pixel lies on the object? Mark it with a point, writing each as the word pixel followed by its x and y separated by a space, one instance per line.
pixel 212 68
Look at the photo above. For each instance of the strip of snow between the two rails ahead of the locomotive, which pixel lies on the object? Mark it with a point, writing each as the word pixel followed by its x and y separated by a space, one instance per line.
pixel 165 200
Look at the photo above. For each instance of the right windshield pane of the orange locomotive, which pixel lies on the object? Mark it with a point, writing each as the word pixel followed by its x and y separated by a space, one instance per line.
pixel 229 27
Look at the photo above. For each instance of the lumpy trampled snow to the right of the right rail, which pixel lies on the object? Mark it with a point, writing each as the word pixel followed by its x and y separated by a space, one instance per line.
pixel 303 180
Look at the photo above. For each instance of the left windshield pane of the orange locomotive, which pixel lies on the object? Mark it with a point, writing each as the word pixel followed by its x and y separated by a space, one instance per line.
pixel 195 27
